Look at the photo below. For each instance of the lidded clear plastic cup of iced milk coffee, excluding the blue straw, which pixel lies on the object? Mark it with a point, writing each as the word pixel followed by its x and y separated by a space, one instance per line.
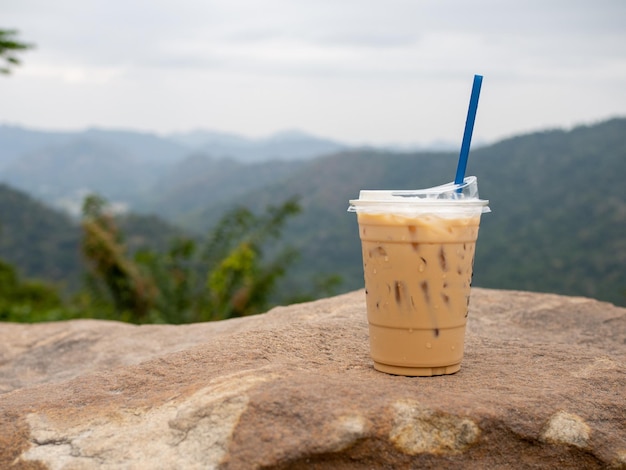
pixel 418 252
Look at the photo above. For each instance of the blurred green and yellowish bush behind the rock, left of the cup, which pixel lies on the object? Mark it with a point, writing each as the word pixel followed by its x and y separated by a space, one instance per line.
pixel 224 276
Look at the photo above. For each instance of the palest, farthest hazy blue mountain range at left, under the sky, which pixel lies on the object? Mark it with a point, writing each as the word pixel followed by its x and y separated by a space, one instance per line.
pixel 134 168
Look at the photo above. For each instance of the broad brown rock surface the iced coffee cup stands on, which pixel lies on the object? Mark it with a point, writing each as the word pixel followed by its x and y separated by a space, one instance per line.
pixel 542 385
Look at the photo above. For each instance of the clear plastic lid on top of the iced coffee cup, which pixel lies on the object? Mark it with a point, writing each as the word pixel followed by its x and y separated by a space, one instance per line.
pixel 446 198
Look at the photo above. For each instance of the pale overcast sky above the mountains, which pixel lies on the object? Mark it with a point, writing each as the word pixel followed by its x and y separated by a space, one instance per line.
pixel 358 71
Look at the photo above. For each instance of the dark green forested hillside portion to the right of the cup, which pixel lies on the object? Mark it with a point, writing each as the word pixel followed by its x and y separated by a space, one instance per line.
pixel 559 220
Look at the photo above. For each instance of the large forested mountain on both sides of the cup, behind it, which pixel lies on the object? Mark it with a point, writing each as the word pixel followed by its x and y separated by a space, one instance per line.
pixel 558 220
